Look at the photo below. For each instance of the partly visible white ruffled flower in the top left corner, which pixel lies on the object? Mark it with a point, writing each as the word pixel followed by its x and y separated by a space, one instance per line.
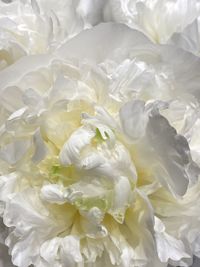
pixel 30 27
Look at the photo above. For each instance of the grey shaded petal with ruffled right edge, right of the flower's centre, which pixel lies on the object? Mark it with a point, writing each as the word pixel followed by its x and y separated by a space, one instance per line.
pixel 173 152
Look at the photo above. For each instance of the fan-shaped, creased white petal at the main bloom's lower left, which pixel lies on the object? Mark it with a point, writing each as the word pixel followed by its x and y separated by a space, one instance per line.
pixel 31 225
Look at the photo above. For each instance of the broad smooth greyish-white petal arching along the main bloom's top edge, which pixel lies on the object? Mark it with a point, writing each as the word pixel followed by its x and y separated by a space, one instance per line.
pixel 118 39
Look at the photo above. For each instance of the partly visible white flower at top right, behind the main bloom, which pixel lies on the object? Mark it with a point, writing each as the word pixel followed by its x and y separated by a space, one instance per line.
pixel 157 19
